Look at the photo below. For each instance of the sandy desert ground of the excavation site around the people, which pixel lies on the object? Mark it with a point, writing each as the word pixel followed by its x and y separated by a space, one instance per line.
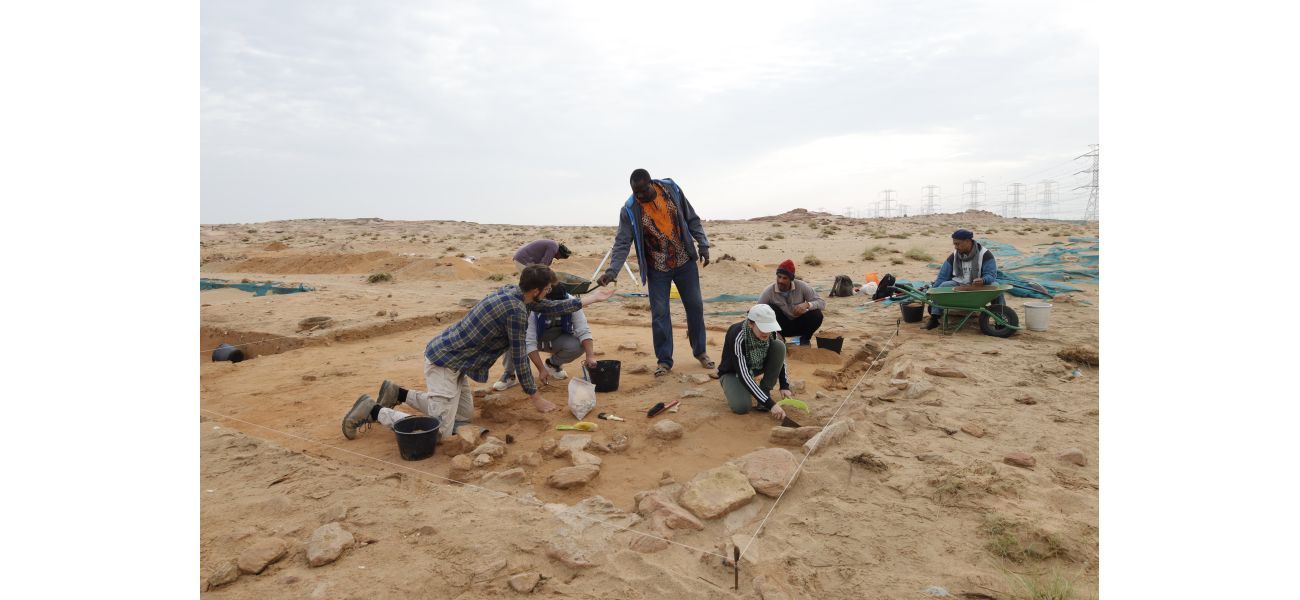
pixel 939 507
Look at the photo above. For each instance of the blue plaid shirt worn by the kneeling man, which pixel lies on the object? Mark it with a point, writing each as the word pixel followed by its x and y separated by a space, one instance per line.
pixel 496 324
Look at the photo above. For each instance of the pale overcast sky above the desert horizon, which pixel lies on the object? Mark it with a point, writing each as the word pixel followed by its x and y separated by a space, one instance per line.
pixel 536 114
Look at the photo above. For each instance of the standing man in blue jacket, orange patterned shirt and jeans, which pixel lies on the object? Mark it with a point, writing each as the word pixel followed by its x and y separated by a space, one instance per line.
pixel 665 229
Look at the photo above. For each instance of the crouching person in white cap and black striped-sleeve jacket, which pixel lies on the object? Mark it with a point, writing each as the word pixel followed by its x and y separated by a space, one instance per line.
pixel 755 349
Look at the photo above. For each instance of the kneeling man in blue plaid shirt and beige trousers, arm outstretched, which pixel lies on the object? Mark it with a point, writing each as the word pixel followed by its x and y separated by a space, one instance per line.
pixel 467 350
